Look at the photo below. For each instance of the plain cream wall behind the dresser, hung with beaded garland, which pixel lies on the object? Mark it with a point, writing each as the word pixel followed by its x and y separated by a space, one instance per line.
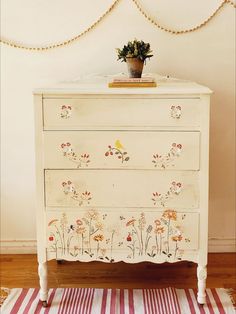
pixel 205 56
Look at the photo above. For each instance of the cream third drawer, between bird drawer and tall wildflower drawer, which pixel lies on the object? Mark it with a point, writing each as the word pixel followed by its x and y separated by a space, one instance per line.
pixel 112 188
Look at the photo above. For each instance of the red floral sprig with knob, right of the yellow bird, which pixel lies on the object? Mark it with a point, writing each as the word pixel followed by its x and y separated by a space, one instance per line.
pixel 167 159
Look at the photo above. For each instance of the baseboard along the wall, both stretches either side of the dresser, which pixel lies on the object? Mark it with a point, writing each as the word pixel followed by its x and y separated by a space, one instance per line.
pixel 215 245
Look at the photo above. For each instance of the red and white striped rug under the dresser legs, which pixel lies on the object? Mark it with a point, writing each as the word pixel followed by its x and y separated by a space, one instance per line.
pixel 117 301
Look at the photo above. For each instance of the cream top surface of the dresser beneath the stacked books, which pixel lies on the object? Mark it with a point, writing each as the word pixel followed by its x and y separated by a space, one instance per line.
pixel 99 85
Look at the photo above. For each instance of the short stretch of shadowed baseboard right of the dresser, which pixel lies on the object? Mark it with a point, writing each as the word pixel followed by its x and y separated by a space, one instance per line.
pixel 221 245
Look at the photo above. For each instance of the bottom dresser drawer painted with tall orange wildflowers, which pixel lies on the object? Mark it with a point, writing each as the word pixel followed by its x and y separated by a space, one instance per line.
pixel 115 235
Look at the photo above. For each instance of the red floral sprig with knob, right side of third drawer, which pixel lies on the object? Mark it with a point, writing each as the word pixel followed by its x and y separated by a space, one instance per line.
pixel 161 199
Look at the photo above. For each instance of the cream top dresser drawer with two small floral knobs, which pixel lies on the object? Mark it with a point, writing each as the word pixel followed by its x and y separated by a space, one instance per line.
pixel 111 113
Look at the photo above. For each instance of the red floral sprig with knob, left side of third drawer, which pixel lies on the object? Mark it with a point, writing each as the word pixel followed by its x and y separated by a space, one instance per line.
pixel 70 190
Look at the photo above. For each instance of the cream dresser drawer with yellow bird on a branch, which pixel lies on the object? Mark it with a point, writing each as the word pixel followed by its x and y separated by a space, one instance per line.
pixel 122 150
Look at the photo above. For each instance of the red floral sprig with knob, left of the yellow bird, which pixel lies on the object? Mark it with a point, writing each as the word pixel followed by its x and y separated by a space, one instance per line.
pixel 69 153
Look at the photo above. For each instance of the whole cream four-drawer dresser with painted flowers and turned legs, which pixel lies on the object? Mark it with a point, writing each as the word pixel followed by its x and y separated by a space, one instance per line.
pixel 122 175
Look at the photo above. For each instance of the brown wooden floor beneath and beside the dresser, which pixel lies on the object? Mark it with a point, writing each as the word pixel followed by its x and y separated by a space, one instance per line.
pixel 21 271
